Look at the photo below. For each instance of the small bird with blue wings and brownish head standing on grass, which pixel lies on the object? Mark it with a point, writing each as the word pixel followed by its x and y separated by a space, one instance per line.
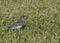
pixel 20 23
